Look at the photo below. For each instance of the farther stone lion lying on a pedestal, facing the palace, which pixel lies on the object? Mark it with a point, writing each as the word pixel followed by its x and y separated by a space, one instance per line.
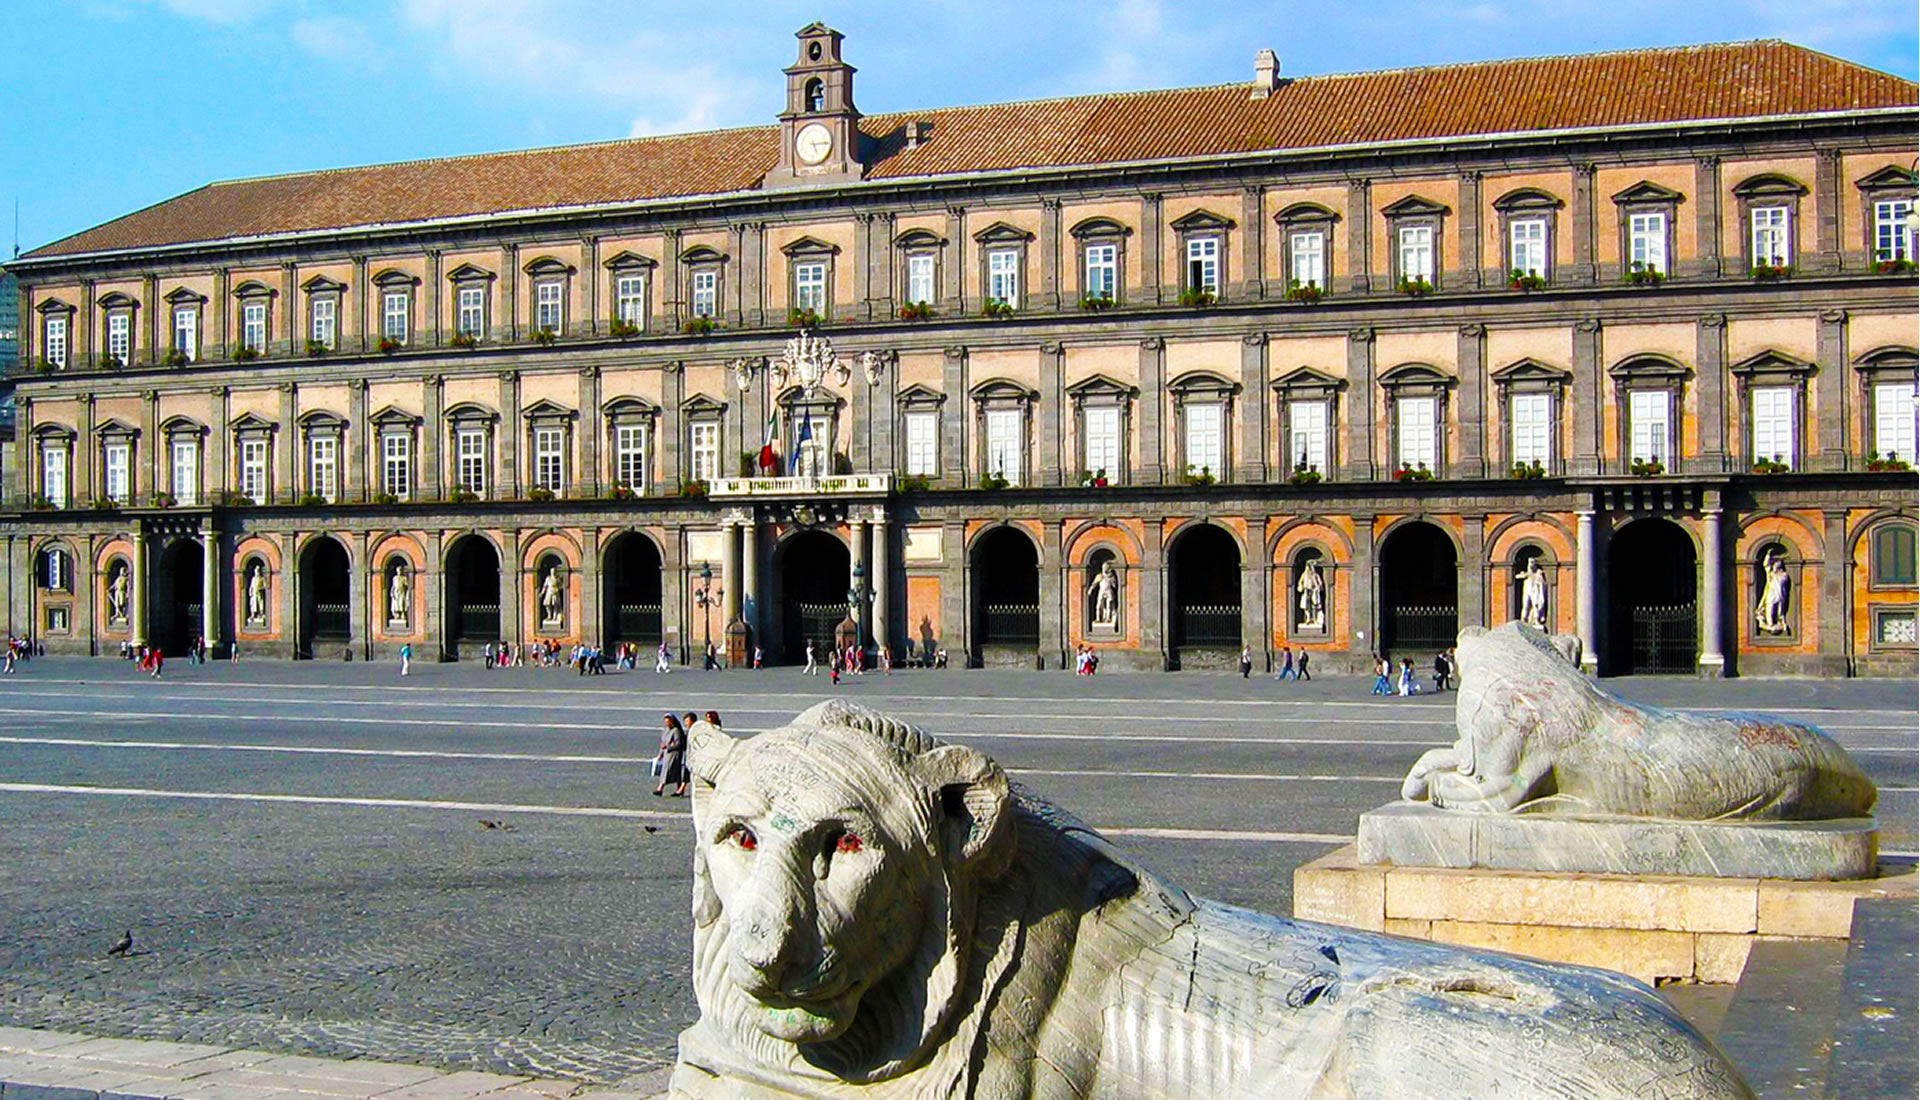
pixel 1537 736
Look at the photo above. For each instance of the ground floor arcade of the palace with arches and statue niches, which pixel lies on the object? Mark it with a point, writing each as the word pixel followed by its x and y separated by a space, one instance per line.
pixel 1687 577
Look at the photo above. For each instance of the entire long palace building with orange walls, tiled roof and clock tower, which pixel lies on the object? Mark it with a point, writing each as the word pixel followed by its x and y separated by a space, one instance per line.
pixel 1620 343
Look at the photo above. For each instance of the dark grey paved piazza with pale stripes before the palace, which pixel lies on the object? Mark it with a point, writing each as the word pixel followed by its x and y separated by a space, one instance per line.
pixel 302 857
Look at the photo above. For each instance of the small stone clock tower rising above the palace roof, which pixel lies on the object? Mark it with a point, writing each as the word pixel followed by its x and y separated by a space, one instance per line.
pixel 821 128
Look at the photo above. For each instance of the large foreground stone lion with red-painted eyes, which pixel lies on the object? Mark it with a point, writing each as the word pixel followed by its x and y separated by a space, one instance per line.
pixel 882 915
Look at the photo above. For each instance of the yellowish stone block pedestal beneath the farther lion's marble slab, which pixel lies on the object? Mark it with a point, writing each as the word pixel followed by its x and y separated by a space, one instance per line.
pixel 1654 928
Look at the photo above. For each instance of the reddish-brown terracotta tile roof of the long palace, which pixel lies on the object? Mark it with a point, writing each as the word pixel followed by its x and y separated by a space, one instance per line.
pixel 1721 82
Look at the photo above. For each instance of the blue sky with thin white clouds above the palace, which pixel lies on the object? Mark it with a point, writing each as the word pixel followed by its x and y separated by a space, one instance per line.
pixel 116 105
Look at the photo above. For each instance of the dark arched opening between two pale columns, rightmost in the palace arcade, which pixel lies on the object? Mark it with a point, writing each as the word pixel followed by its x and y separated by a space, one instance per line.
pixel 1652 577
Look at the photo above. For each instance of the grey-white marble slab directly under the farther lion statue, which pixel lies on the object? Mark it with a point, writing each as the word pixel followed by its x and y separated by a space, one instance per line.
pixel 1416 834
